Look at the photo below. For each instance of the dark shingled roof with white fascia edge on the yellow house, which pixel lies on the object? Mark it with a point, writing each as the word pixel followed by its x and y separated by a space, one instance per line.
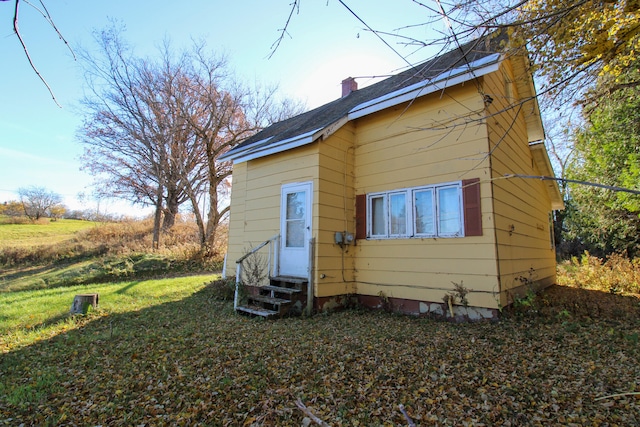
pixel 471 60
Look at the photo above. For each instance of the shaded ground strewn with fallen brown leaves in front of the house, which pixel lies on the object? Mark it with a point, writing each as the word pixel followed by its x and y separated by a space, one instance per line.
pixel 558 361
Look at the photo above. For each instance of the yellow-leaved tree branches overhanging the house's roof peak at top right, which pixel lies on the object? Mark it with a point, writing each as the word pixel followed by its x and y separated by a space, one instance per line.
pixel 571 43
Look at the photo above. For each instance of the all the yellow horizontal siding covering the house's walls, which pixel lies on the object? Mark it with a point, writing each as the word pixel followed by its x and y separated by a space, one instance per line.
pixel 440 138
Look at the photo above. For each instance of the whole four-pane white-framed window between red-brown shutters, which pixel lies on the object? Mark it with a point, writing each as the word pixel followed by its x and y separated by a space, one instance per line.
pixel 429 211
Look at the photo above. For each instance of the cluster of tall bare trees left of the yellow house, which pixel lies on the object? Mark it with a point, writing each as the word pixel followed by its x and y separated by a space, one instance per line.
pixel 157 127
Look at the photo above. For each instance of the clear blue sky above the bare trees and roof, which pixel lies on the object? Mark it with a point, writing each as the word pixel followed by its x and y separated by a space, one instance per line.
pixel 325 44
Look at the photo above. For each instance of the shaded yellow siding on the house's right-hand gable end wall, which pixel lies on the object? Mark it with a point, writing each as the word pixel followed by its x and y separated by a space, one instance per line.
pixel 521 206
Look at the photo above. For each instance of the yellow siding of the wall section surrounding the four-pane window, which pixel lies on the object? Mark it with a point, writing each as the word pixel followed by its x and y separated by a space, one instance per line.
pixel 435 140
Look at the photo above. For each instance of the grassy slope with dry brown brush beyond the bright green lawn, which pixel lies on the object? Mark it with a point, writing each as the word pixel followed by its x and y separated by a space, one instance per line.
pixel 70 253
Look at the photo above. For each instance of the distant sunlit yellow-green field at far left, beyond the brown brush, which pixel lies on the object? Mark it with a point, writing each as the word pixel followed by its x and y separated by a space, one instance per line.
pixel 42 233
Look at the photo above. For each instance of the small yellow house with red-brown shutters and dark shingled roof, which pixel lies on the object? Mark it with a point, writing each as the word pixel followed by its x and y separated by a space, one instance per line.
pixel 410 194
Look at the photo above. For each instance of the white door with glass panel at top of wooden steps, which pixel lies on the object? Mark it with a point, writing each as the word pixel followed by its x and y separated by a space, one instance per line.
pixel 295 229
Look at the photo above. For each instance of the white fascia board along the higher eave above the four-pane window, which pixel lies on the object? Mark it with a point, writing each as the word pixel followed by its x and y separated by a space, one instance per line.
pixel 486 65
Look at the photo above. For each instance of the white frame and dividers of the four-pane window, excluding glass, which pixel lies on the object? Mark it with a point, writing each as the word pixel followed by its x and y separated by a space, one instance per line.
pixel 410 212
